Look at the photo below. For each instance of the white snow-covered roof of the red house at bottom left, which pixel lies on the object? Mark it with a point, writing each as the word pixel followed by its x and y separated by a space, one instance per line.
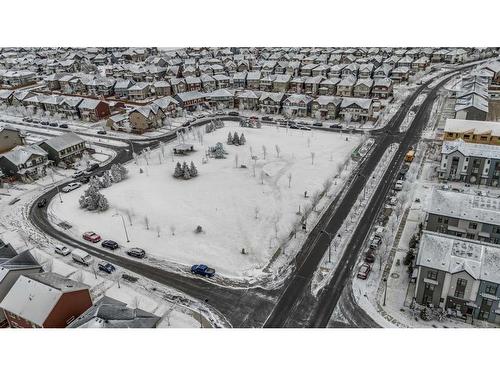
pixel 34 296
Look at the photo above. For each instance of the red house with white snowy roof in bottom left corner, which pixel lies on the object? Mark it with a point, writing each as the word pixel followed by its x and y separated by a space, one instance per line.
pixel 45 300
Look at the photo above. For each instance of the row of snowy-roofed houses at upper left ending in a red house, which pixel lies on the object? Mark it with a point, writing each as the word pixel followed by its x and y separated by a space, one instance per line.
pixel 87 109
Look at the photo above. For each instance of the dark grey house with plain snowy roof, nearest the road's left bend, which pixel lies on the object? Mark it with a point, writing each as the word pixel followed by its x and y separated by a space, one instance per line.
pixel 66 148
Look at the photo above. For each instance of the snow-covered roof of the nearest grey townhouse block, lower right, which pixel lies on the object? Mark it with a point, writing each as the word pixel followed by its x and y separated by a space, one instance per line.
pixel 453 254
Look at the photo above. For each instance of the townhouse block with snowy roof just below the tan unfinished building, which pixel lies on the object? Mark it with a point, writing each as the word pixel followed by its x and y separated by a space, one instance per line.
pixel 470 162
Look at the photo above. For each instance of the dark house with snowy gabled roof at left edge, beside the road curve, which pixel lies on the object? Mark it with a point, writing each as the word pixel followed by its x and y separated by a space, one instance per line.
pixel 26 163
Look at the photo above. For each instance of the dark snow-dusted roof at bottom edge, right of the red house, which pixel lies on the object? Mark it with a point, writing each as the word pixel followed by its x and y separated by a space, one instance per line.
pixel 111 313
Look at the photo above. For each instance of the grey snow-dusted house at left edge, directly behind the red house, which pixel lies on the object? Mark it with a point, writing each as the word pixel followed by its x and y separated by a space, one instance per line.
pixel 10 270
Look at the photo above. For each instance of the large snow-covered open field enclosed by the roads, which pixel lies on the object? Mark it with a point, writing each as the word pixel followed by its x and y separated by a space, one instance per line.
pixel 235 209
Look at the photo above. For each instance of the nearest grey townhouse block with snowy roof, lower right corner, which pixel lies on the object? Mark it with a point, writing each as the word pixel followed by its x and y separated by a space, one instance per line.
pixel 459 275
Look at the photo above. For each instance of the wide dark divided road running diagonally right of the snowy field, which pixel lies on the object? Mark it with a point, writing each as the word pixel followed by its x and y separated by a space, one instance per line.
pixel 296 306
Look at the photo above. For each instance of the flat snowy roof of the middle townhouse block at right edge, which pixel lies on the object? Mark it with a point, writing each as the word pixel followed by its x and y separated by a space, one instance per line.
pixel 464 206
